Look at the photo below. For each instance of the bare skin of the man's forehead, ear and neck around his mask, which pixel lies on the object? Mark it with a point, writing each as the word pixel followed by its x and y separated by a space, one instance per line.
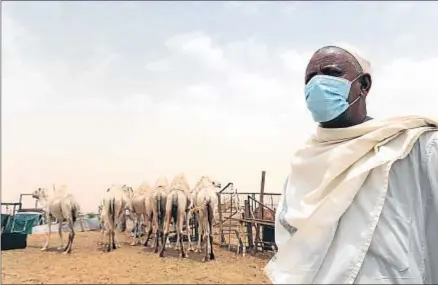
pixel 336 62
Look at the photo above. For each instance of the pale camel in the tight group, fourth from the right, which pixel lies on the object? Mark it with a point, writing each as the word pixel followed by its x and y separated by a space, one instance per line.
pixel 137 207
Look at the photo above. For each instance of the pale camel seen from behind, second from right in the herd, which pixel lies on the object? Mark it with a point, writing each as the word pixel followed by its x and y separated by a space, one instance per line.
pixel 177 202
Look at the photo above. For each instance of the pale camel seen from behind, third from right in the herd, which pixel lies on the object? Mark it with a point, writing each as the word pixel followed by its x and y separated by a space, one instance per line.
pixel 155 206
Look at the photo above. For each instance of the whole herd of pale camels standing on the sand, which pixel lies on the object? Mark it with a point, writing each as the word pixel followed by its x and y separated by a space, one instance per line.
pixel 157 208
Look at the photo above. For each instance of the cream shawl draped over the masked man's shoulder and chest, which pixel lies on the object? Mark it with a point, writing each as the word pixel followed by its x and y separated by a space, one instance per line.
pixel 326 174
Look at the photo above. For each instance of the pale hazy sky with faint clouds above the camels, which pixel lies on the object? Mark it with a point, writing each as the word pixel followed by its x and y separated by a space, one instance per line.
pixel 95 93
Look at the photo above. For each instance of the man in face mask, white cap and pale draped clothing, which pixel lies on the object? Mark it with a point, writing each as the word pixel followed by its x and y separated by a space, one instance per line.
pixel 361 202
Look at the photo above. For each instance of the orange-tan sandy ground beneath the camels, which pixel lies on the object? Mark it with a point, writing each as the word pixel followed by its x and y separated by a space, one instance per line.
pixel 127 265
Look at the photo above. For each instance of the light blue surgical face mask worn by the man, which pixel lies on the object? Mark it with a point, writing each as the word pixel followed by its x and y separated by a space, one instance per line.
pixel 327 97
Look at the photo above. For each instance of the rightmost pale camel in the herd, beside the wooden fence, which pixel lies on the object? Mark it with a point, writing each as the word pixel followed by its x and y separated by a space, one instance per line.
pixel 205 200
